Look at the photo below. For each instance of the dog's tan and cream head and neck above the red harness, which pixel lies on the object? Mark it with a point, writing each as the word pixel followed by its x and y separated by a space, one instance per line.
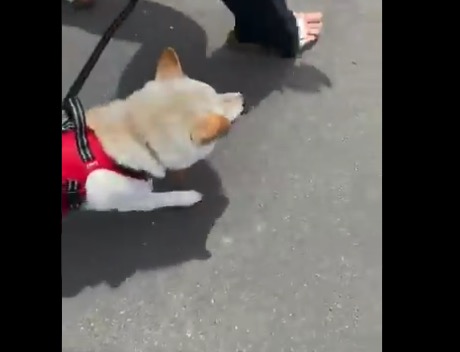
pixel 170 123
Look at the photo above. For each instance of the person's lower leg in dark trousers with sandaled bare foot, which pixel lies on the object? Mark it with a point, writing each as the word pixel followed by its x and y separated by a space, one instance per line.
pixel 271 24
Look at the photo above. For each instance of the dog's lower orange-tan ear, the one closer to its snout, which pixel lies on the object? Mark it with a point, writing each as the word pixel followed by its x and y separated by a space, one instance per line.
pixel 210 128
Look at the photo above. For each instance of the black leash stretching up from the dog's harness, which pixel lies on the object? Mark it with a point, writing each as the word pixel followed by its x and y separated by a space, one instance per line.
pixel 91 62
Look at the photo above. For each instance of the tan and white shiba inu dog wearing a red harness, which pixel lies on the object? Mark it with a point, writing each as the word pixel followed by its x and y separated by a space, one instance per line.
pixel 169 124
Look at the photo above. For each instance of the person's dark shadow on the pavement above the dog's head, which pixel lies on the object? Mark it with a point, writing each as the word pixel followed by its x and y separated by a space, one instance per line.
pixel 155 26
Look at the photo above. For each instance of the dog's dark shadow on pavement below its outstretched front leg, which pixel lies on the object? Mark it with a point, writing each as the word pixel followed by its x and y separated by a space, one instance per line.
pixel 110 247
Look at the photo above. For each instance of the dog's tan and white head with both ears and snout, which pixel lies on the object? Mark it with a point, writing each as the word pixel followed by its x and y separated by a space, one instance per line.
pixel 186 116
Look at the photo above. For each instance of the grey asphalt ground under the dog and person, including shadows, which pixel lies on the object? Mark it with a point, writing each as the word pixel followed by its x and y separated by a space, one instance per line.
pixel 285 251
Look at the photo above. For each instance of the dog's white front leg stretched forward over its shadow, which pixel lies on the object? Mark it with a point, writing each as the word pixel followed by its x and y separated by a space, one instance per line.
pixel 107 190
